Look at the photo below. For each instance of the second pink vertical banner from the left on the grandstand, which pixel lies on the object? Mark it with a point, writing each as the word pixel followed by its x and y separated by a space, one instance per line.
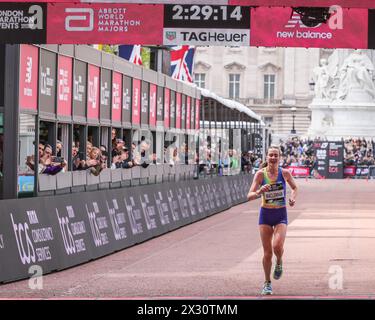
pixel 64 85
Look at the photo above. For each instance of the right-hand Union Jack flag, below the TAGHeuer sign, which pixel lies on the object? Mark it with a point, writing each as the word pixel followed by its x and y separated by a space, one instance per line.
pixel 182 58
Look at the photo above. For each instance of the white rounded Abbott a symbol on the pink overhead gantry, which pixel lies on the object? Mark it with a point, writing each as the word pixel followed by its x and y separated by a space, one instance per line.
pixel 84 17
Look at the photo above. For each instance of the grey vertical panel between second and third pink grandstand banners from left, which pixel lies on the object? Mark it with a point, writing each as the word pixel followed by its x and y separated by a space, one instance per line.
pixel 79 88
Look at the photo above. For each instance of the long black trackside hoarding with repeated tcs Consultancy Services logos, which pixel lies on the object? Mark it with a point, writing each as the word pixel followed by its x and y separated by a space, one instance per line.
pixel 41 235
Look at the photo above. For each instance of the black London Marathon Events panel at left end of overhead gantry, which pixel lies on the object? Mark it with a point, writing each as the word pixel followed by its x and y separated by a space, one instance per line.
pixel 23 23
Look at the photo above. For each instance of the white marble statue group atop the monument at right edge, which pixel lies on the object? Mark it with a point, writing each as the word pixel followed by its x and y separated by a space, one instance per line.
pixel 356 74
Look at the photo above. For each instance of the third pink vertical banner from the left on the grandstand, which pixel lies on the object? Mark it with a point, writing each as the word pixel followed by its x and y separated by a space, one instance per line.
pixel 93 92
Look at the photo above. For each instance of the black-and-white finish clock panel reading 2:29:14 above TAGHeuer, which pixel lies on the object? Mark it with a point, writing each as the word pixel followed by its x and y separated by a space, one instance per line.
pixel 206 25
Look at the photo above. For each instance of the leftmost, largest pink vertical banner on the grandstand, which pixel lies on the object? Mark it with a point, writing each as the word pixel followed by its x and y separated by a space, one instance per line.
pixel 28 83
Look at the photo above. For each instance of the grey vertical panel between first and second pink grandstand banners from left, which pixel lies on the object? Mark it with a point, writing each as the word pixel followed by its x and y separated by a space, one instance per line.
pixel 47 82
